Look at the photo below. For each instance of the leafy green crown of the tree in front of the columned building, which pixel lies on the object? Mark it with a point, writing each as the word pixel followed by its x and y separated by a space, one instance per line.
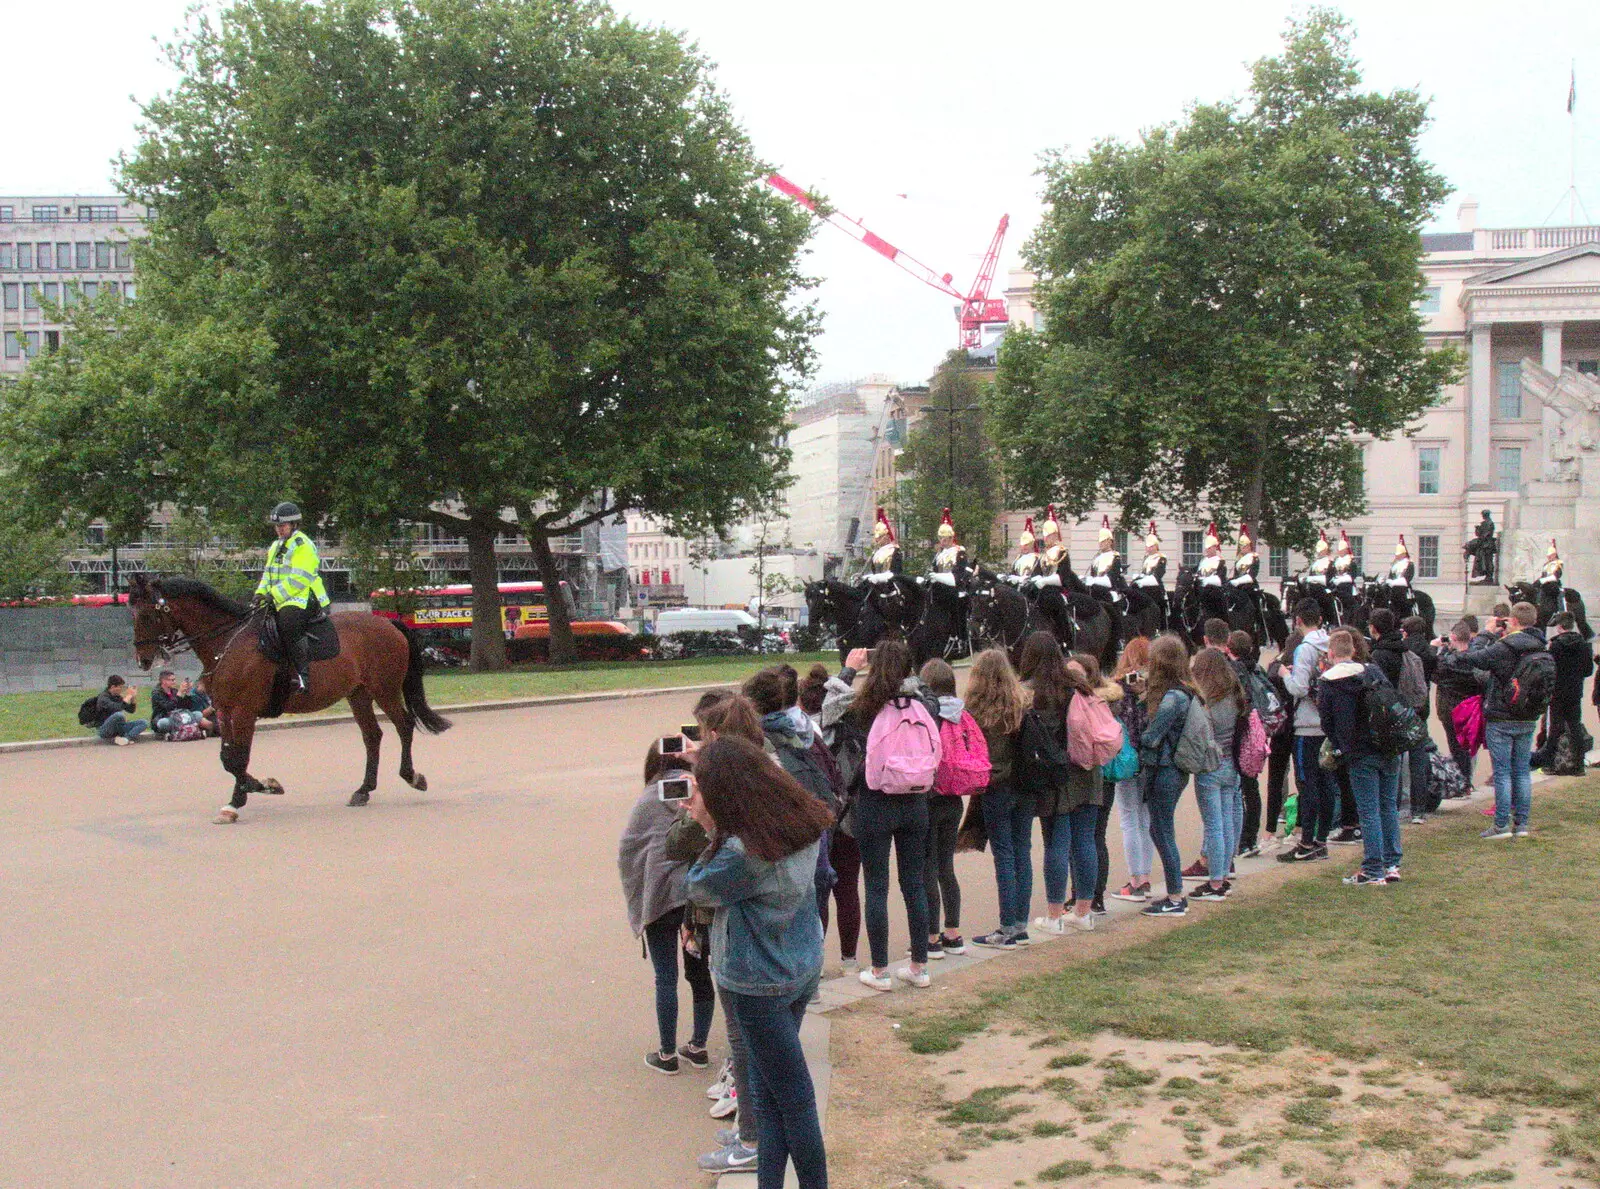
pixel 1228 303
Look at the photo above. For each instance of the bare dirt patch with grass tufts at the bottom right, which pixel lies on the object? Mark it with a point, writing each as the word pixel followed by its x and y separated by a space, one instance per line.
pixel 1015 1108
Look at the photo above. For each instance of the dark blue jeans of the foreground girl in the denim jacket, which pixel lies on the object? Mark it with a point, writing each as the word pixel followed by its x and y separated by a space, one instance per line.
pixel 782 1089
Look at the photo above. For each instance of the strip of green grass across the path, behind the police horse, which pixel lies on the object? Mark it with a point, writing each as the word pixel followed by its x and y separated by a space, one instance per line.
pixel 55 715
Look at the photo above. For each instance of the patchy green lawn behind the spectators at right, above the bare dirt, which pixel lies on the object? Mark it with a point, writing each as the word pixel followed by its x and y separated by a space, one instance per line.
pixel 1481 964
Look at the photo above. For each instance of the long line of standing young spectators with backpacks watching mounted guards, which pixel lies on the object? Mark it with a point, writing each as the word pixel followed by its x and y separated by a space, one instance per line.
pixel 788 798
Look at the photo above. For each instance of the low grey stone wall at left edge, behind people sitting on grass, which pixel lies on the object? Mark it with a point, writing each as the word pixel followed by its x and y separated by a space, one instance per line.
pixel 71 649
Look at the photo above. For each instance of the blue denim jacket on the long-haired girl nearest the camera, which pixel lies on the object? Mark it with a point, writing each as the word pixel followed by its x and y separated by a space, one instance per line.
pixel 767 937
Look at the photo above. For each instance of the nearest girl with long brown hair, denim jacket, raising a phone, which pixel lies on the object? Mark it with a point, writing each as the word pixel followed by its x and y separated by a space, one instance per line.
pixel 767 939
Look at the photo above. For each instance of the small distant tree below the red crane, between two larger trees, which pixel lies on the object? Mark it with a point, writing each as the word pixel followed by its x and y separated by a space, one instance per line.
pixel 951 463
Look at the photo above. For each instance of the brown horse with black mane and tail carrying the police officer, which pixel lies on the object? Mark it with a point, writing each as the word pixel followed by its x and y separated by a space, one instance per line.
pixel 378 663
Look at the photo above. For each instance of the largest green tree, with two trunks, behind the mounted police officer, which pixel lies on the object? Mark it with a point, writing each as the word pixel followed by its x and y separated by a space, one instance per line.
pixel 490 265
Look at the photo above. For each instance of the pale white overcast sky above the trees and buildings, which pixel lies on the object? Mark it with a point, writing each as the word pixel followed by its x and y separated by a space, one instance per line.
pixel 927 119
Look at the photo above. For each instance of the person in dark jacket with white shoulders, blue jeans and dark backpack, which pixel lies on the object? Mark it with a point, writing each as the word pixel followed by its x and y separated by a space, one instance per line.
pixel 1375 780
